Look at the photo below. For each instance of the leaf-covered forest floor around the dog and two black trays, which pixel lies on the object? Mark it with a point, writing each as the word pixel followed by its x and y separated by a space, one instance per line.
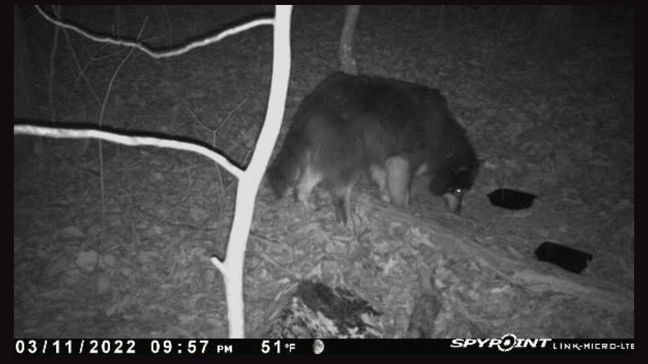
pixel 115 241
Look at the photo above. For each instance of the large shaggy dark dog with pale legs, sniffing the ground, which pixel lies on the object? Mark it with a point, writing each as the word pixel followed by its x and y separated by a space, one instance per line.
pixel 395 129
